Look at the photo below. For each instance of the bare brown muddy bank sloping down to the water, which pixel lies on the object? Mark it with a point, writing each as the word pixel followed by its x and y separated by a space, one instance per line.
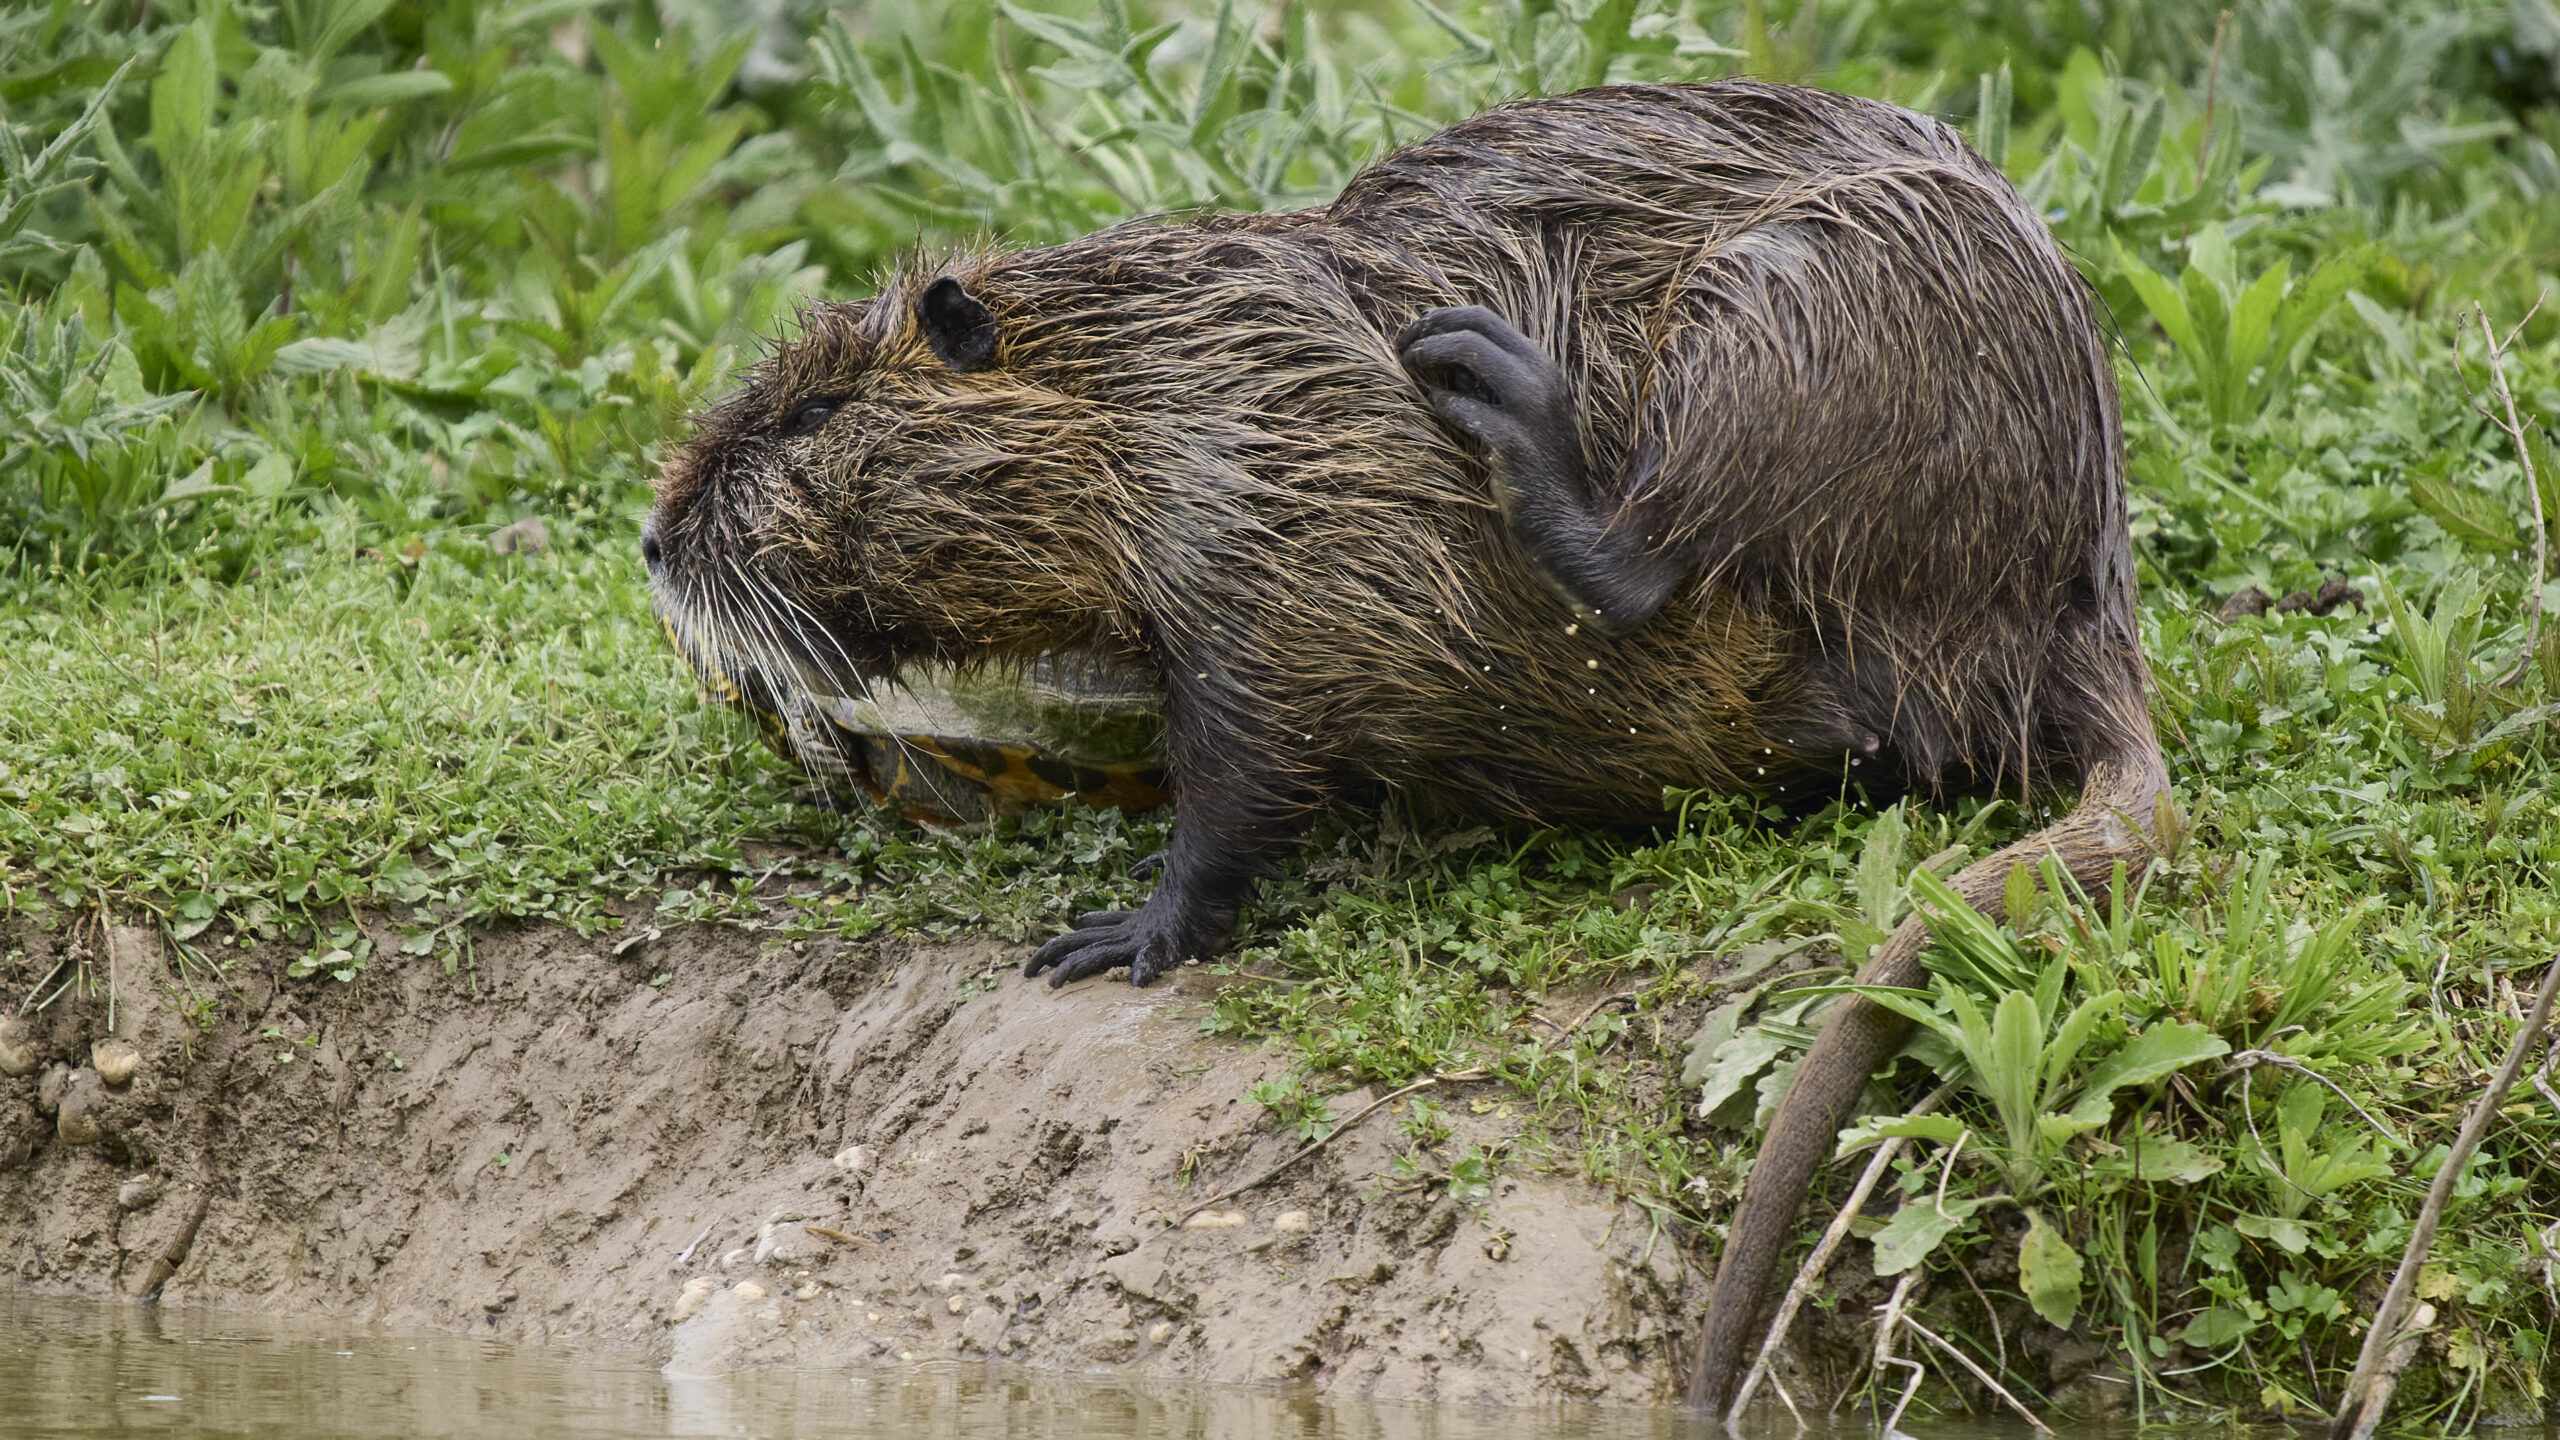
pixel 820 1154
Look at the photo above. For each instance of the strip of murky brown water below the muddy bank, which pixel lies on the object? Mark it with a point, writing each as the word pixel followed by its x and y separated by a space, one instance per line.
pixel 73 1370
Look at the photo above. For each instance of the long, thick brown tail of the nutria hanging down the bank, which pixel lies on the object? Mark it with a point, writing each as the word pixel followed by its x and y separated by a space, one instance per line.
pixel 2113 824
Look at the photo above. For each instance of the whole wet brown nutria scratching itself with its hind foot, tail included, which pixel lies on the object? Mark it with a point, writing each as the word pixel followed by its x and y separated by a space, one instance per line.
pixel 1719 437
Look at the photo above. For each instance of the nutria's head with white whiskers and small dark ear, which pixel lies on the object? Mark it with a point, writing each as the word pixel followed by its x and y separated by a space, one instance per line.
pixel 887 488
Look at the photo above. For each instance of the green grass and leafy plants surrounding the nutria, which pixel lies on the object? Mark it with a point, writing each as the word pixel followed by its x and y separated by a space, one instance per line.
pixel 314 309
